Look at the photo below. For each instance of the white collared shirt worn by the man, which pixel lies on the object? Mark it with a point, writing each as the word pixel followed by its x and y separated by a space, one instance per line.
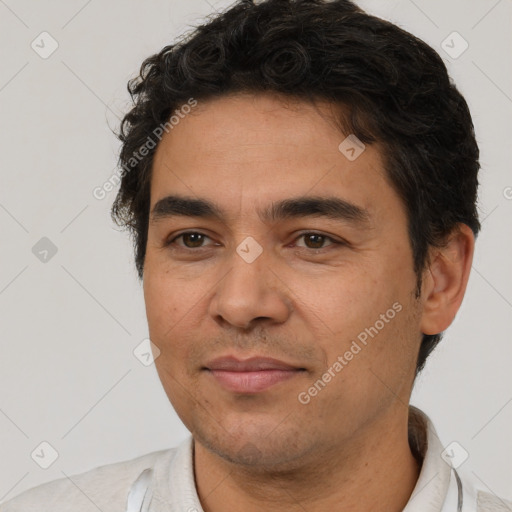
pixel 172 485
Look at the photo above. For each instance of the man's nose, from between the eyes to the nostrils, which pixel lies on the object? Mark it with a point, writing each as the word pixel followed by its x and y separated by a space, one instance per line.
pixel 249 294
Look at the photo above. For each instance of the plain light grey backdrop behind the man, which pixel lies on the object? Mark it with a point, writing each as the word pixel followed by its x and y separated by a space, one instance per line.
pixel 69 325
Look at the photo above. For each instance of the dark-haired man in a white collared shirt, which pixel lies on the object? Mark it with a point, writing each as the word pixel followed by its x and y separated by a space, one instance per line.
pixel 300 179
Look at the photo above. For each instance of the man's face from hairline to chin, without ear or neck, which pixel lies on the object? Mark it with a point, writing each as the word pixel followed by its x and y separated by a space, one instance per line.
pixel 329 298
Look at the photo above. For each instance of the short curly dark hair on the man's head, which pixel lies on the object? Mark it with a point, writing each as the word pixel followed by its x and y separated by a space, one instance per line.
pixel 394 88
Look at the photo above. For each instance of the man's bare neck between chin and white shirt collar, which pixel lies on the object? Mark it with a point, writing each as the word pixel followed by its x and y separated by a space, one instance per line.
pixel 374 471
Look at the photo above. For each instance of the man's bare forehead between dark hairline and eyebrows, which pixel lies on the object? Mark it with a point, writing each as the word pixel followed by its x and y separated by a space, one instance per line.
pixel 248 150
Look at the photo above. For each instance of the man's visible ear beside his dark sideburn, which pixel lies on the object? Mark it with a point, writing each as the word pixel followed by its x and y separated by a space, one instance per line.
pixel 445 280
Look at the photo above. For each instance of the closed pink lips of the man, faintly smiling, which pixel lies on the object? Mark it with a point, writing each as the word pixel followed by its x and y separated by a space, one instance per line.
pixel 252 375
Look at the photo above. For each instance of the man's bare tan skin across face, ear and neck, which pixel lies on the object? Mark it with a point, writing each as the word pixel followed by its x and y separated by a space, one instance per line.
pixel 295 303
